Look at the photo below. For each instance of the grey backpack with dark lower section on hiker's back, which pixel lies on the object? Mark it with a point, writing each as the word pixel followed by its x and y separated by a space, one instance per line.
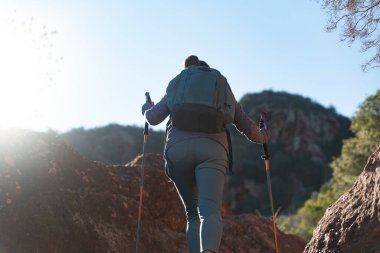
pixel 200 100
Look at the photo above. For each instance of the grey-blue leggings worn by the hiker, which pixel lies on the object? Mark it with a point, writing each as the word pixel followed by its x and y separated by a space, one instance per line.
pixel 198 167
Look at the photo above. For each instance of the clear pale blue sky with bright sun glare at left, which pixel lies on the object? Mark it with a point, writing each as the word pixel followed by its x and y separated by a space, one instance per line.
pixel 88 63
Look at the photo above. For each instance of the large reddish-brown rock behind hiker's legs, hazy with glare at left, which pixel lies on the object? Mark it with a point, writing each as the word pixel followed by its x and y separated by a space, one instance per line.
pixel 54 200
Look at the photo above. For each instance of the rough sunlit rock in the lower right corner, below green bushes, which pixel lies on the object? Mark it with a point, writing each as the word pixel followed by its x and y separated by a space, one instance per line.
pixel 352 223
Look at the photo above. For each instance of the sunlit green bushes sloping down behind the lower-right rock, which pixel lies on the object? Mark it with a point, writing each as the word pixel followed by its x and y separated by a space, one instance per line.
pixel 346 168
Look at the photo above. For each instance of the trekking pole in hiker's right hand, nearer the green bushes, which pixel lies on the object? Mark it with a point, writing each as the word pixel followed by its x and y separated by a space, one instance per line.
pixel 266 157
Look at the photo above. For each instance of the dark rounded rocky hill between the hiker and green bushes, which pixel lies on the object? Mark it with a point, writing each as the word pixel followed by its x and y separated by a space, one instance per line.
pixel 305 136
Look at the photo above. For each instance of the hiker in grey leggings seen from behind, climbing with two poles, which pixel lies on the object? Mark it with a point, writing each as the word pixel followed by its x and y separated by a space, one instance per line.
pixel 197 161
